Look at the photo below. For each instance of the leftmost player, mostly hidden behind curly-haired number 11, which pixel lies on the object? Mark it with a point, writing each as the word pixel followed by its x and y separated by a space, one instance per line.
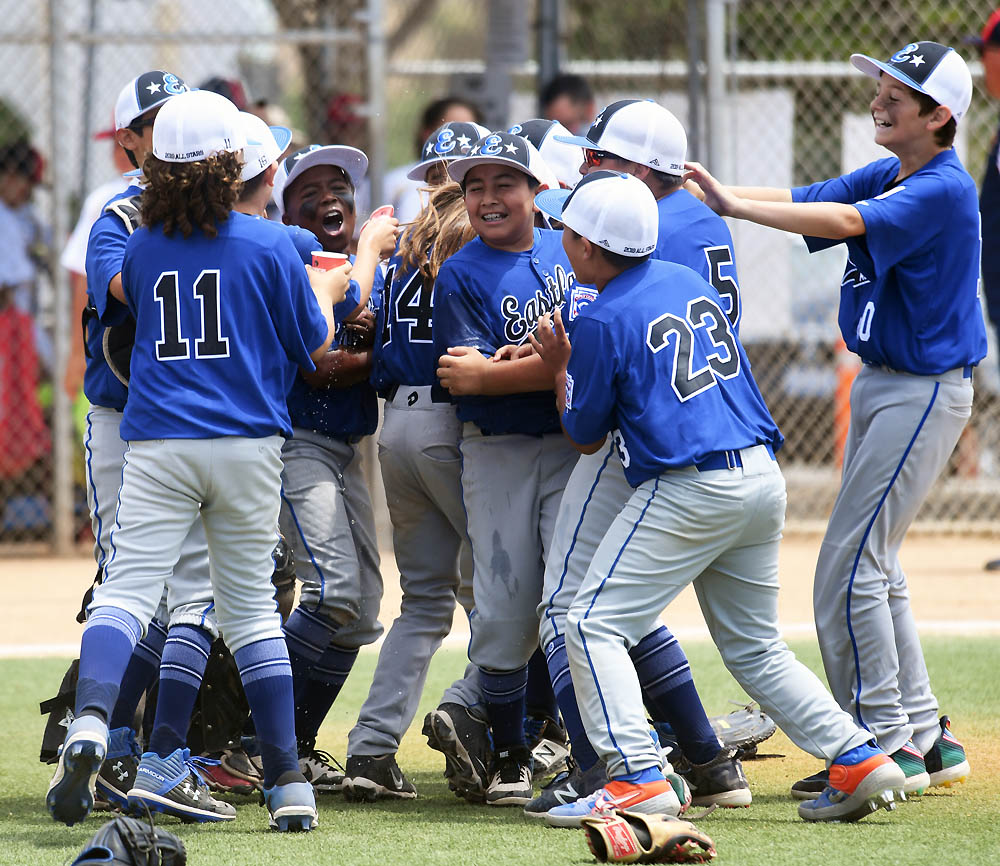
pixel 109 332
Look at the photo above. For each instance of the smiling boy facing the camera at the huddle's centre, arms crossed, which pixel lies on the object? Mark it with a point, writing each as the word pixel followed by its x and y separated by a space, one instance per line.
pixel 491 293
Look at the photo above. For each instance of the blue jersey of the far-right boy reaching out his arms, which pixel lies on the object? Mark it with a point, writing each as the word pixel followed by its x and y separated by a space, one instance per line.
pixel 908 300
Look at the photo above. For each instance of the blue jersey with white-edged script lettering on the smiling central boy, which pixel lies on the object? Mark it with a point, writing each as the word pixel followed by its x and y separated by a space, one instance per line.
pixel 487 298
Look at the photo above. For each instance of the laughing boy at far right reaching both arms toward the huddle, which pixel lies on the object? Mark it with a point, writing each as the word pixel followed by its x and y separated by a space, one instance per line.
pixel 909 308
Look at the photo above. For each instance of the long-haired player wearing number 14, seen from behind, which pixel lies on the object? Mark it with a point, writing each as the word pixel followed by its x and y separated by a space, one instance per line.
pixel 421 470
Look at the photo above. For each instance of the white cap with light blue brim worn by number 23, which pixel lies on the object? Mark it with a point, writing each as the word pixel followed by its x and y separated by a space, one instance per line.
pixel 613 210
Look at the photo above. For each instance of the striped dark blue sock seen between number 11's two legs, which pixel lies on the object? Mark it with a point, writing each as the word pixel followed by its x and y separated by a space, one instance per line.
pixel 185 656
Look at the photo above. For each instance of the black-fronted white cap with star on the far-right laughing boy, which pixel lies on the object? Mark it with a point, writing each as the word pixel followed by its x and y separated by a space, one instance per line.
pixel 930 68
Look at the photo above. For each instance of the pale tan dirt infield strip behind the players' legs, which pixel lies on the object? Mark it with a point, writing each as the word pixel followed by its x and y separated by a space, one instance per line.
pixel 39 596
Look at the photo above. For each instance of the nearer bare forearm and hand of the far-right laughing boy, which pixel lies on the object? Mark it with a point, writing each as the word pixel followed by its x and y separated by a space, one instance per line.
pixel 775 208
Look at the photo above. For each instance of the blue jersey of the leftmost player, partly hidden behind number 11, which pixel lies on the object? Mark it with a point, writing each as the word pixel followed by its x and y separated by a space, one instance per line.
pixel 105 252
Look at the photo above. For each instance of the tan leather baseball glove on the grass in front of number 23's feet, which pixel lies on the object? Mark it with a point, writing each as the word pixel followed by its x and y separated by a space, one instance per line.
pixel 632 837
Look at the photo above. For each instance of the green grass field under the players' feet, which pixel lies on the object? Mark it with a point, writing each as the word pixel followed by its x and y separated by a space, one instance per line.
pixel 947 826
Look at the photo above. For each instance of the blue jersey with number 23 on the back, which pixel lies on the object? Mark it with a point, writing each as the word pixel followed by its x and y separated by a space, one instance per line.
pixel 656 361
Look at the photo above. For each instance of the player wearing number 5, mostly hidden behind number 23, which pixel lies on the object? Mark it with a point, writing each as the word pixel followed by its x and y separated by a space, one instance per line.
pixel 647 141
